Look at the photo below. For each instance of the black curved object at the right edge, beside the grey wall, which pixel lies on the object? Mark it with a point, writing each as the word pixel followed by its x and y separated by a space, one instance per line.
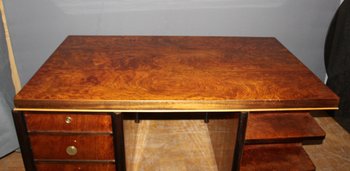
pixel 337 61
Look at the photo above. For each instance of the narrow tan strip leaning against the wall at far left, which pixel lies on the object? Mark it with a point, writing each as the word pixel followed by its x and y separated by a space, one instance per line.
pixel 14 72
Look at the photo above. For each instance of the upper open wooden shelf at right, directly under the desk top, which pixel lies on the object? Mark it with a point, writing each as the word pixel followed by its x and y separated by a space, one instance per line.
pixel 272 127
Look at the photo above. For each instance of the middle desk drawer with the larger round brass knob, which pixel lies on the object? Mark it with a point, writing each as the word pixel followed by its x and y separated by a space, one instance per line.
pixel 75 147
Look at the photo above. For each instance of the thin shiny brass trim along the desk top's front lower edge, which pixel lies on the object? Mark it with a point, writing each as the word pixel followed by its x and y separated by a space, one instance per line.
pixel 174 110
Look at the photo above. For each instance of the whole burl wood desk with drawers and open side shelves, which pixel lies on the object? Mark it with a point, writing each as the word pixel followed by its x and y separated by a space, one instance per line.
pixel 91 85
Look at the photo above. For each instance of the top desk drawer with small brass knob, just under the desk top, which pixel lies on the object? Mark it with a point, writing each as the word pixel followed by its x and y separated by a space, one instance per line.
pixel 68 122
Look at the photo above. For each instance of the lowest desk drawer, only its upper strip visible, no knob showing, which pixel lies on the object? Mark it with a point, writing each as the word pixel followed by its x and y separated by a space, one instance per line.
pixel 42 166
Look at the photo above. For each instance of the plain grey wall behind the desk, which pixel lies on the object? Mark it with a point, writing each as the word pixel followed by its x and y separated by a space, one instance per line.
pixel 38 26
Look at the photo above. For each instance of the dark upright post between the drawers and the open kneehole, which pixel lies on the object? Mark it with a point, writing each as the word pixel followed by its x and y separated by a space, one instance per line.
pixel 118 138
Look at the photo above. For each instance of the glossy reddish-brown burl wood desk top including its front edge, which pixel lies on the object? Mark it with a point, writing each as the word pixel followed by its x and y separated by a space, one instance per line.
pixel 160 73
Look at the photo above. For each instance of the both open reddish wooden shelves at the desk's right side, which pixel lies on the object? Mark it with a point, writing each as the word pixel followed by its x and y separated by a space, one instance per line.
pixel 274 141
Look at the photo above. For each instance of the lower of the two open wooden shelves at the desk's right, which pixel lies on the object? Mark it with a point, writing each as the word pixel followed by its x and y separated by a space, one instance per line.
pixel 275 157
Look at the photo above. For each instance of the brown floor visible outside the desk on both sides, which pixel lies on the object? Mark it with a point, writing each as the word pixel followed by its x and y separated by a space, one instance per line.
pixel 332 154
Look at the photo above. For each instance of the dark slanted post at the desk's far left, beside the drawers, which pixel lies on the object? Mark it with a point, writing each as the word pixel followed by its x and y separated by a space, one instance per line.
pixel 23 139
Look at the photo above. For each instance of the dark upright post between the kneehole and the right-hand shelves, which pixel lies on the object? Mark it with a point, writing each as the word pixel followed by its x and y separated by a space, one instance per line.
pixel 237 156
